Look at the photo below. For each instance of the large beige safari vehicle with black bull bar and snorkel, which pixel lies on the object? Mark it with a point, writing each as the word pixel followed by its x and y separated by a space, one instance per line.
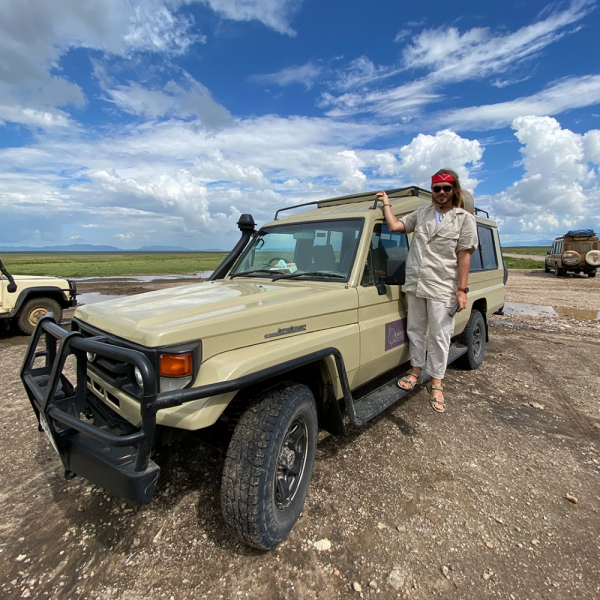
pixel 303 326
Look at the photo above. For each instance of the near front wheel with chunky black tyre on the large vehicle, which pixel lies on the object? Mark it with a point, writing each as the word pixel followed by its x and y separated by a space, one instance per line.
pixel 269 465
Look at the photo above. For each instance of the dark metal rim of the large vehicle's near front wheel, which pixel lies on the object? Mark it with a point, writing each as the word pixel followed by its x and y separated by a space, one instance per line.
pixel 291 462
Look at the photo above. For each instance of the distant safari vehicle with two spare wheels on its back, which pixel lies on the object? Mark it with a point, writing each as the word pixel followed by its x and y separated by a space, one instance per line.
pixel 577 251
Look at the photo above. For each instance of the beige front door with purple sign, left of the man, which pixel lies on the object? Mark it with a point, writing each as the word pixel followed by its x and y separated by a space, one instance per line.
pixel 381 318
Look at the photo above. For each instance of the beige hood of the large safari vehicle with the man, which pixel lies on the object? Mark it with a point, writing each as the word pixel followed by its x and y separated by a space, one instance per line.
pixel 224 314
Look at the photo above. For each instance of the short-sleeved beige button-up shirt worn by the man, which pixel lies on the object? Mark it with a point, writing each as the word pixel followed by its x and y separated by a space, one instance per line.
pixel 432 263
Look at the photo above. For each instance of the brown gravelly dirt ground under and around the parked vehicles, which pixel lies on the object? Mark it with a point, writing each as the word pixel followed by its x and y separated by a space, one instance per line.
pixel 467 505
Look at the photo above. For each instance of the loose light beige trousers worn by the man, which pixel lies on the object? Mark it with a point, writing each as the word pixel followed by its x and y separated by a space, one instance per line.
pixel 423 313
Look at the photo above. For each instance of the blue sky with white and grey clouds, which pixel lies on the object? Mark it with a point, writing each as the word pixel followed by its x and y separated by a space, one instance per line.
pixel 131 123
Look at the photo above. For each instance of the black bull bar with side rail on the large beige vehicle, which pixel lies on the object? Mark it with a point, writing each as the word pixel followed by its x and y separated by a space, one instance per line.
pixel 119 462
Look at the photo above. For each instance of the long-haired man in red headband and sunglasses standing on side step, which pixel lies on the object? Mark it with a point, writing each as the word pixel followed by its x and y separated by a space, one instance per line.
pixel 437 270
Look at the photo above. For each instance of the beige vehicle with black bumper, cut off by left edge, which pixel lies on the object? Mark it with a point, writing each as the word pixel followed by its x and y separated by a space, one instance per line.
pixel 24 299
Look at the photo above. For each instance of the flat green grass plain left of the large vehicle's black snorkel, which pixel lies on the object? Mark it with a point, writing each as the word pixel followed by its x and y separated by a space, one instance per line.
pixel 101 264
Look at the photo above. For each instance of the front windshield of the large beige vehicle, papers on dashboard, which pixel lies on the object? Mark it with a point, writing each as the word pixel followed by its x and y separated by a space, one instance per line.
pixel 320 249
